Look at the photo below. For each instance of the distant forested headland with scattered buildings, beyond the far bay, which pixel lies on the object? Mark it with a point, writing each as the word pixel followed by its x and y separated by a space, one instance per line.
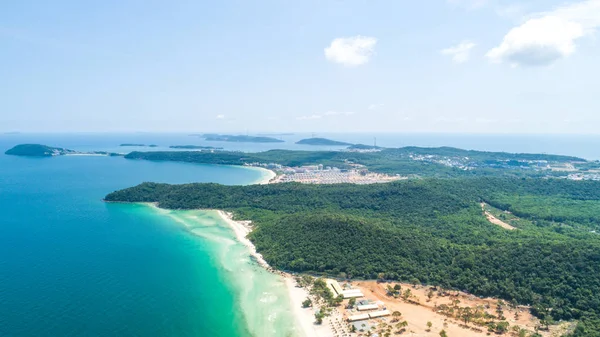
pixel 426 162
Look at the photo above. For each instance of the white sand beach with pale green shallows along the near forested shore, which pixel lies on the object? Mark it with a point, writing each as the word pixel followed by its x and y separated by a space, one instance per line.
pixel 267 300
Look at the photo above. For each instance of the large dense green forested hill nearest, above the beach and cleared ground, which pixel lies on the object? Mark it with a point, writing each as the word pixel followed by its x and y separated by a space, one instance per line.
pixel 431 230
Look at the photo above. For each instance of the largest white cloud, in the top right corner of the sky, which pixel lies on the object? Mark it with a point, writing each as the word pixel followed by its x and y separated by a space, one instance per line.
pixel 547 37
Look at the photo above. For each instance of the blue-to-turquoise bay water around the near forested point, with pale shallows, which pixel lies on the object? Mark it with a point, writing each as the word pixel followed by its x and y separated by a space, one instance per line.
pixel 72 265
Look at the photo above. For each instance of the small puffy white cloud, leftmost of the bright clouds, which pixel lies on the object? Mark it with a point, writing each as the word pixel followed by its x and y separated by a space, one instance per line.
pixel 351 51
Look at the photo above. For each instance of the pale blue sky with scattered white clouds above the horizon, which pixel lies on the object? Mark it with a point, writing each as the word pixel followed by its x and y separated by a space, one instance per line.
pixel 448 66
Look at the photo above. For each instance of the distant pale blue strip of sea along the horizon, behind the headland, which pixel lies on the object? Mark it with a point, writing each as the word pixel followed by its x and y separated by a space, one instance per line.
pixel 585 146
